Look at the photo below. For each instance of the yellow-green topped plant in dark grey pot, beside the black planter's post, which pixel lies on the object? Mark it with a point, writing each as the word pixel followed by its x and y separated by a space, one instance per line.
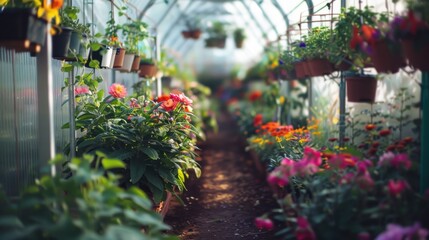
pixel 79 40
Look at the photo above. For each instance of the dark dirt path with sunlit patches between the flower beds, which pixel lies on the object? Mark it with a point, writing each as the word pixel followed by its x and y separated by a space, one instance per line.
pixel 223 203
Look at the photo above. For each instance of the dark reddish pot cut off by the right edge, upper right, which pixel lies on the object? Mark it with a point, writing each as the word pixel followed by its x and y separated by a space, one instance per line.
pixel 416 51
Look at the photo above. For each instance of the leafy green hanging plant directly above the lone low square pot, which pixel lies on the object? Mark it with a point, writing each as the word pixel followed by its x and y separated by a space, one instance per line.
pixel 343 49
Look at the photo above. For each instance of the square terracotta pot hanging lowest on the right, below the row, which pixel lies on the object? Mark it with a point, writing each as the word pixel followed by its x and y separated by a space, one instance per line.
pixel 361 88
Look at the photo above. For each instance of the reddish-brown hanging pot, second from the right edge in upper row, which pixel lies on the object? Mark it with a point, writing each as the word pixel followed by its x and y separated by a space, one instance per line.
pixel 387 56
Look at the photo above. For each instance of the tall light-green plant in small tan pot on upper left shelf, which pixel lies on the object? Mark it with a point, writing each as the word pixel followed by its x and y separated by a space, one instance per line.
pixel 133 32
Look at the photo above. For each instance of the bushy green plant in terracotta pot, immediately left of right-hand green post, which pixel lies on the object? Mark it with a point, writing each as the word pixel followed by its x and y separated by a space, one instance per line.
pixel 317 44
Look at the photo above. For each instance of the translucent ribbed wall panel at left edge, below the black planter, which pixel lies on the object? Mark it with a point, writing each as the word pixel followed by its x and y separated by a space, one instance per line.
pixel 18 146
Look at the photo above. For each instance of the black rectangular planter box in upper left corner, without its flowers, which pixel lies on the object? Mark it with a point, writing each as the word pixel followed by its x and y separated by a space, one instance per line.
pixel 22 30
